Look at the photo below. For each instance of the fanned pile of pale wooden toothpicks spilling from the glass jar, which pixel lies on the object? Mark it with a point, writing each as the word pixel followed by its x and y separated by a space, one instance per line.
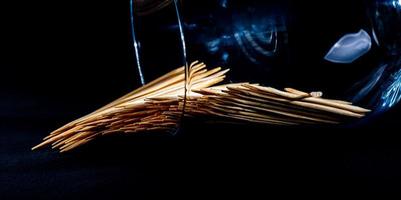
pixel 158 106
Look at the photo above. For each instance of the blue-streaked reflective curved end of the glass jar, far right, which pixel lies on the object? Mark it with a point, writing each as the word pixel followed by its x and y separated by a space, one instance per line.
pixel 385 17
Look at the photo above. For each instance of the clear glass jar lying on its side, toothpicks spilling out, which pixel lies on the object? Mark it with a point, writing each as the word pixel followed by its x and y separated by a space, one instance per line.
pixel 349 50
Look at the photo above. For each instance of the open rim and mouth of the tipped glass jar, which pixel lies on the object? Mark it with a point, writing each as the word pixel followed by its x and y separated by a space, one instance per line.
pixel 173 29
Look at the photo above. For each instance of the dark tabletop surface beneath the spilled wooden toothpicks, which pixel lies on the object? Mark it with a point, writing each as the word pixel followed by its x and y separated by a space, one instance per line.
pixel 203 162
